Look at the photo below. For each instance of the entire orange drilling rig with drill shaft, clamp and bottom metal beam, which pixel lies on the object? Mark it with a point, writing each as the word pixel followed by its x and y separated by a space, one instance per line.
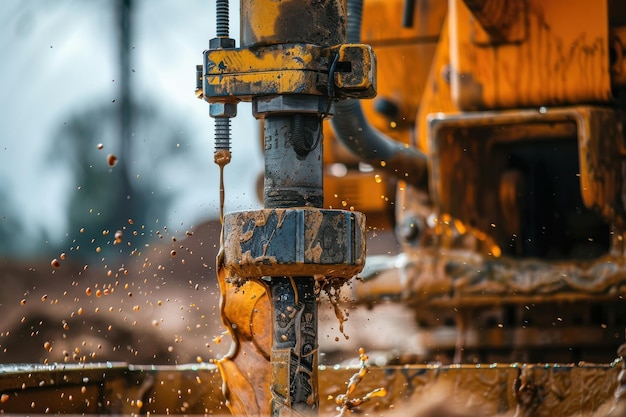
pixel 493 149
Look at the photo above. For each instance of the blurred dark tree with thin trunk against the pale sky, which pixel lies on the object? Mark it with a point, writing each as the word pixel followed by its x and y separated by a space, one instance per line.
pixel 115 182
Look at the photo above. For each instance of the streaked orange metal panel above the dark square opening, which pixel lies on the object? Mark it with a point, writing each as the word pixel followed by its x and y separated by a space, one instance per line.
pixel 563 59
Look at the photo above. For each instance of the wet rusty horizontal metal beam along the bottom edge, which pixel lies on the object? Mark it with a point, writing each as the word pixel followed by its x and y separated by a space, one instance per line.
pixel 497 390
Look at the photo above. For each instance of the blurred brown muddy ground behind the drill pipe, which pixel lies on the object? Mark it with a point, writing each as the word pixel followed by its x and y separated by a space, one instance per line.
pixel 158 305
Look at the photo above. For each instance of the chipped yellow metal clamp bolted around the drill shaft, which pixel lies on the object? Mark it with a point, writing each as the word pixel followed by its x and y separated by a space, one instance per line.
pixel 289 69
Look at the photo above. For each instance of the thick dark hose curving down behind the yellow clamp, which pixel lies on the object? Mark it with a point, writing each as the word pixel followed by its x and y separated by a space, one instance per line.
pixel 361 138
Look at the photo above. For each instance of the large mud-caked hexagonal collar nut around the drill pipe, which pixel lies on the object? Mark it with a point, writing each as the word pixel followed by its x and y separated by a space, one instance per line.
pixel 294 242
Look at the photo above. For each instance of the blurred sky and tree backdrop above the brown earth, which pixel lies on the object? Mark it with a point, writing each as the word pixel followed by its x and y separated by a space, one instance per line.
pixel 73 73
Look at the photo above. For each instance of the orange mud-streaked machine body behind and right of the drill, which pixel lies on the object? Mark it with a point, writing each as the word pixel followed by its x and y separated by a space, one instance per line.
pixel 517 241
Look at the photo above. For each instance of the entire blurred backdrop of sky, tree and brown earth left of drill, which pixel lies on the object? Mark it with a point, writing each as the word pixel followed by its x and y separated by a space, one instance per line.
pixel 108 190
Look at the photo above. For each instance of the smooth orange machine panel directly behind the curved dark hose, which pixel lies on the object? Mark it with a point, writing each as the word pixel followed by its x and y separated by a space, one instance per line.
pixel 403 60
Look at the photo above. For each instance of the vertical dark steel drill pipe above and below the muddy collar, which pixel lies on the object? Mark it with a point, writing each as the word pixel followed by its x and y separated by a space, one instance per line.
pixel 293 179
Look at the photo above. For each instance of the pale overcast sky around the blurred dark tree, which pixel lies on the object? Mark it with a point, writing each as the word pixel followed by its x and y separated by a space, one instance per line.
pixel 60 57
